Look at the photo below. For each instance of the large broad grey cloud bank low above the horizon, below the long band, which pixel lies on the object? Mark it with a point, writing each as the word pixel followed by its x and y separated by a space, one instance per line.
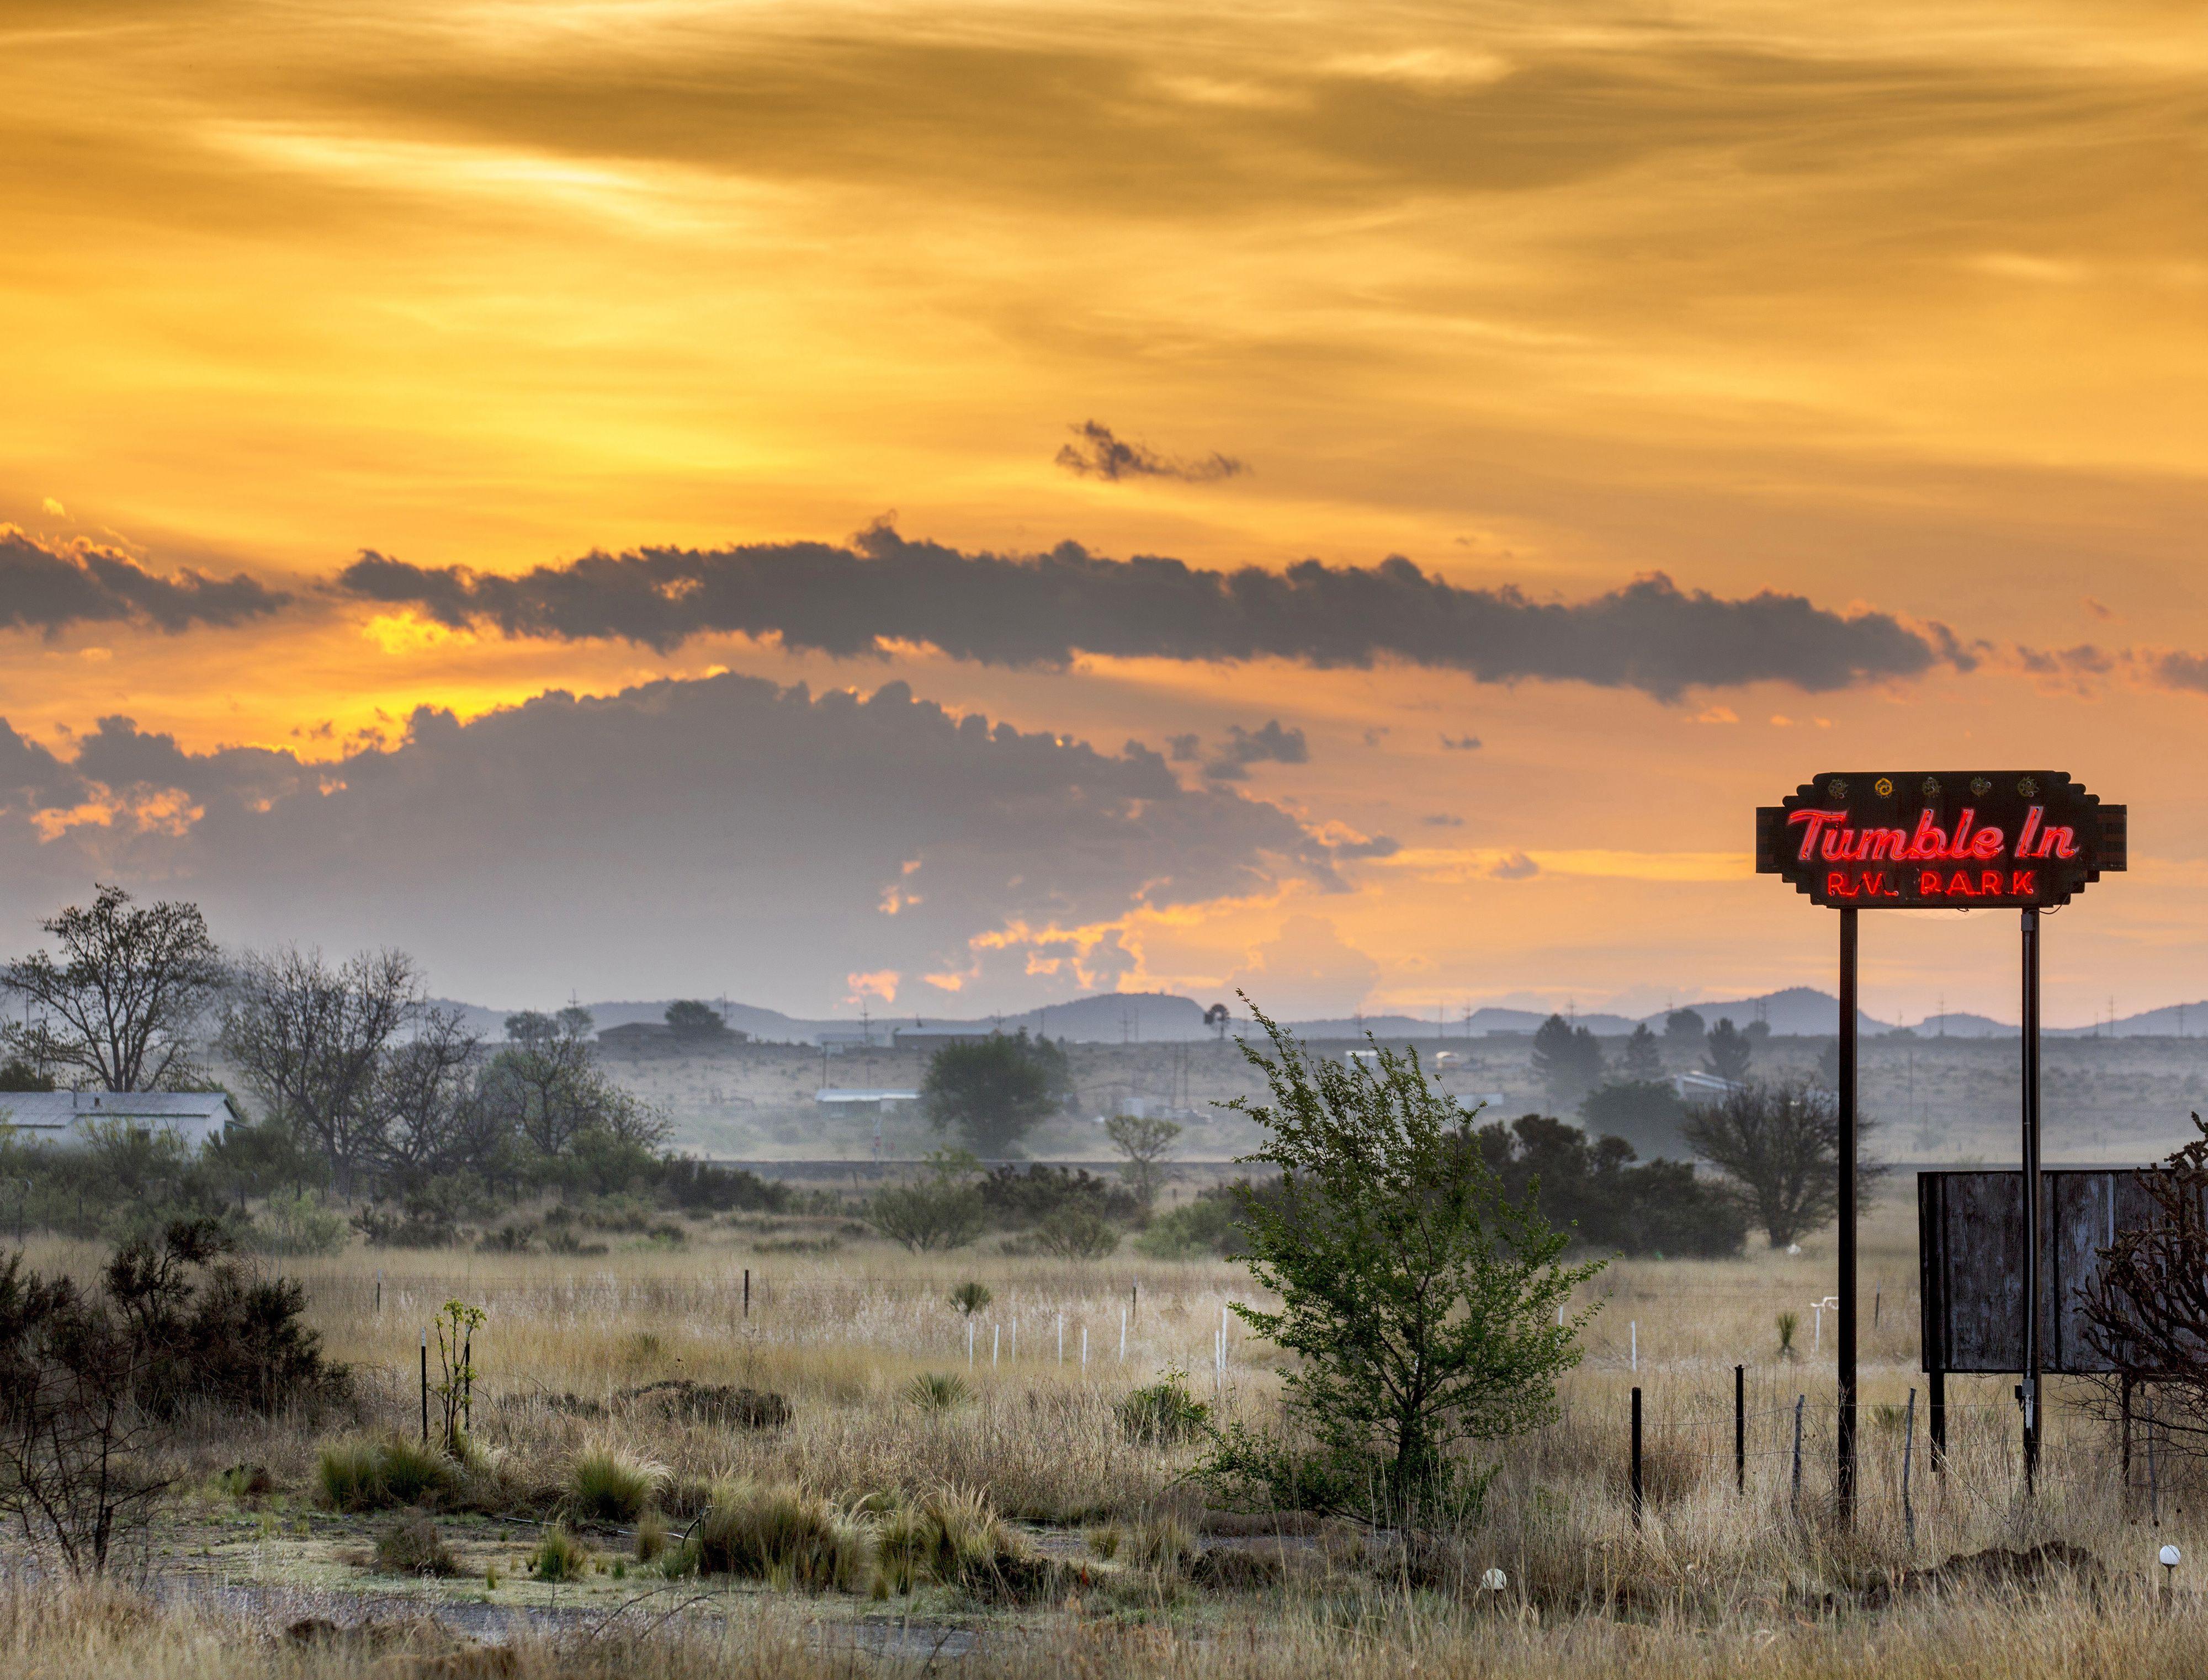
pixel 712 833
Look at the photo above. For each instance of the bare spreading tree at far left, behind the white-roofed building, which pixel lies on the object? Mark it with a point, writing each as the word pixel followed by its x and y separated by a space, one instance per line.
pixel 120 1003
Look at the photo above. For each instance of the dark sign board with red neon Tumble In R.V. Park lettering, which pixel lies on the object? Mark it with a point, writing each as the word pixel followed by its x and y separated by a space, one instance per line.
pixel 1946 840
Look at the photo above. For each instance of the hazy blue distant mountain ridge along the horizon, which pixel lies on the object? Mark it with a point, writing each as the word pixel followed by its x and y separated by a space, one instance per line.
pixel 1169 1019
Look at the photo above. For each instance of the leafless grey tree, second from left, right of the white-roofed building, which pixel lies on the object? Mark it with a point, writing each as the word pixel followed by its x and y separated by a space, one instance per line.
pixel 312 1043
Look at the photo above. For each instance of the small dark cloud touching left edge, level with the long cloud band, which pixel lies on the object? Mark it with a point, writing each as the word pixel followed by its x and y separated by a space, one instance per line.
pixel 52 588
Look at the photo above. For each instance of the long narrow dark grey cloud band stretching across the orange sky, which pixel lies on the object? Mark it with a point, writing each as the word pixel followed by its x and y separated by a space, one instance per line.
pixel 1048 608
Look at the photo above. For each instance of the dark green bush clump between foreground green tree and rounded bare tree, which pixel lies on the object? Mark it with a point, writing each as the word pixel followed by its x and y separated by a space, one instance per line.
pixel 1593 1189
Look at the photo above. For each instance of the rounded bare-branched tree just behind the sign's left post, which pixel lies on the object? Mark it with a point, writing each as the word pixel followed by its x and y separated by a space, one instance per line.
pixel 1779 1142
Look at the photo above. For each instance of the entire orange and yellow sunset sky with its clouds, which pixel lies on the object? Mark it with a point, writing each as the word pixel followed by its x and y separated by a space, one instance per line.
pixel 1880 332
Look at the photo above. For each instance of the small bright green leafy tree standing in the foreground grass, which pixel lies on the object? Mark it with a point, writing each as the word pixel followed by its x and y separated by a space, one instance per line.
pixel 1419 1299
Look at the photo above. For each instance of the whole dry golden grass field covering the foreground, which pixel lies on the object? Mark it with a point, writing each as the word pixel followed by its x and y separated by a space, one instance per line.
pixel 1712 1582
